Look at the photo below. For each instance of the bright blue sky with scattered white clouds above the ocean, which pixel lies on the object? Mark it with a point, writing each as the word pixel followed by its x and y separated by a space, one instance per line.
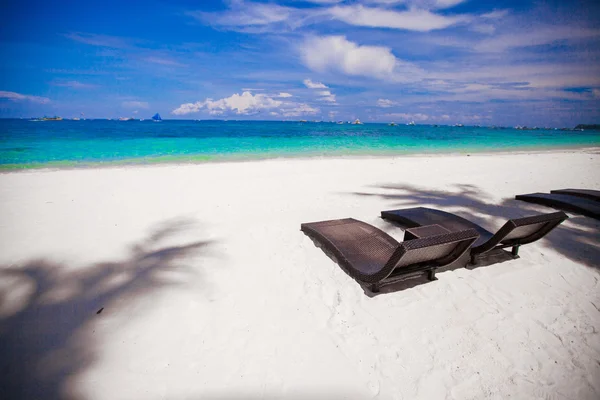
pixel 431 61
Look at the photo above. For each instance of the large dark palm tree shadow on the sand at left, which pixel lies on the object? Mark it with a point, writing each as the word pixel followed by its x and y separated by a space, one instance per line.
pixel 46 309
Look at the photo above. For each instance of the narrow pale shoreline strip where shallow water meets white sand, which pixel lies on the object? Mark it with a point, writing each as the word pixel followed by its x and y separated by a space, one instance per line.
pixel 153 162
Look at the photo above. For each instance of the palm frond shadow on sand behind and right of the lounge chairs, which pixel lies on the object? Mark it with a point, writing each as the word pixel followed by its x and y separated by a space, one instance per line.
pixel 577 238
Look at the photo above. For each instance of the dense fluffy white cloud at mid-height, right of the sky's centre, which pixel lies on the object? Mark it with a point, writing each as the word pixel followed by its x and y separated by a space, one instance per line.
pixel 336 53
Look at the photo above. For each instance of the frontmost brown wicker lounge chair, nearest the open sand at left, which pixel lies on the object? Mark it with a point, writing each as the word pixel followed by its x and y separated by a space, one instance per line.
pixel 375 259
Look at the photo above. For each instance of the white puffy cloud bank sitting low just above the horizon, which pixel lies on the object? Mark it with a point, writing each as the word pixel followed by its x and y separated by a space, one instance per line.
pixel 245 103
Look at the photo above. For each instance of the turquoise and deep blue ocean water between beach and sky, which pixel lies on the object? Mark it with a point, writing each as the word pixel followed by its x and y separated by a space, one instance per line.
pixel 39 144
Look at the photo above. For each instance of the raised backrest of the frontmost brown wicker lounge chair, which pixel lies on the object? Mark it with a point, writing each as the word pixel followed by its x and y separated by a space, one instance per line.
pixel 438 251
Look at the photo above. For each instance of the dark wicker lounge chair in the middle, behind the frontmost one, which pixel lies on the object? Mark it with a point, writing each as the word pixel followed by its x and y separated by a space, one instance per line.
pixel 514 233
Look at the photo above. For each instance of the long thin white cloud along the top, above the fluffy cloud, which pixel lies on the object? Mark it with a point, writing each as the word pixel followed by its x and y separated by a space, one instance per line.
pixel 413 19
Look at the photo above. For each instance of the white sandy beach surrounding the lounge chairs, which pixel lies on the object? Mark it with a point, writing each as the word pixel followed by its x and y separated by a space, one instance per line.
pixel 194 281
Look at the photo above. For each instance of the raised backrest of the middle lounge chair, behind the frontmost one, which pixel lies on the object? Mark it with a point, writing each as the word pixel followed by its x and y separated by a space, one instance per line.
pixel 524 230
